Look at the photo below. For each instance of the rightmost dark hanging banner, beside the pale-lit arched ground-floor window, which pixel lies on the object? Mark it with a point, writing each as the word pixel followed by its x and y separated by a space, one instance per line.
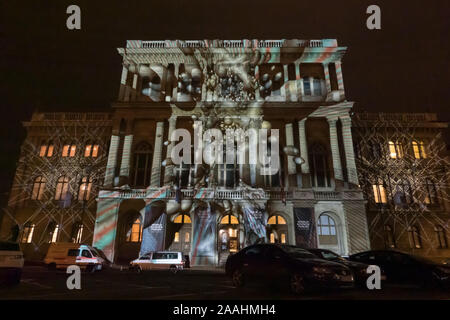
pixel 305 231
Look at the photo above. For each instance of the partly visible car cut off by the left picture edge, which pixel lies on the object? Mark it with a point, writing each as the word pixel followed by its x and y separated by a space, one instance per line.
pixel 11 263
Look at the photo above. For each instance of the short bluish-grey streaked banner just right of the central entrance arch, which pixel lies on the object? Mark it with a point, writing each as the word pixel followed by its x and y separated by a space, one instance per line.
pixel 255 225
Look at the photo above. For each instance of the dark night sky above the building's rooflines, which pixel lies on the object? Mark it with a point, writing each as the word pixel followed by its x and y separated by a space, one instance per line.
pixel 403 67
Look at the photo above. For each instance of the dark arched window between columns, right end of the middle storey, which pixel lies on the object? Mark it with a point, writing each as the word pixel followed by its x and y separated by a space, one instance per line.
pixel 319 166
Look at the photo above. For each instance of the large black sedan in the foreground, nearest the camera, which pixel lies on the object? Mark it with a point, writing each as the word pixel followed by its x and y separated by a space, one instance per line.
pixel 286 264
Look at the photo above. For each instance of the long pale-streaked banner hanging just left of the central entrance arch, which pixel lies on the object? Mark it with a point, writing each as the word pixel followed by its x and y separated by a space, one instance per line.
pixel 204 237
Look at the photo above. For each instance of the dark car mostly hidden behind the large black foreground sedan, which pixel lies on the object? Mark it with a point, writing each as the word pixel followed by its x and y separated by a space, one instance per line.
pixel 359 269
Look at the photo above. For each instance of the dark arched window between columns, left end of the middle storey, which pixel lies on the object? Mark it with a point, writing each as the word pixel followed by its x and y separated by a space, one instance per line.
pixel 142 165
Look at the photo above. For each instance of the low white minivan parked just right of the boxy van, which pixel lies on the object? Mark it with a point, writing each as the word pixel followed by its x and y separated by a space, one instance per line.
pixel 170 260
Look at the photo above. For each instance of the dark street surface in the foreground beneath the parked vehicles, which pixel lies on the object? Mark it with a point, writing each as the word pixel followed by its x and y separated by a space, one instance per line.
pixel 191 284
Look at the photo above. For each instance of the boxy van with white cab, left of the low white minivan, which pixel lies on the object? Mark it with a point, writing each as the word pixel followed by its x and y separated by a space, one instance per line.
pixel 64 254
